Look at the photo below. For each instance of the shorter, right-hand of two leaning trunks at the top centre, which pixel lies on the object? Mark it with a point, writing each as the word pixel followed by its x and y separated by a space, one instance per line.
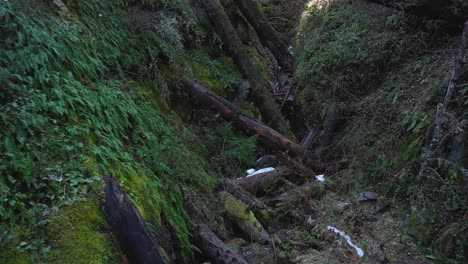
pixel 267 35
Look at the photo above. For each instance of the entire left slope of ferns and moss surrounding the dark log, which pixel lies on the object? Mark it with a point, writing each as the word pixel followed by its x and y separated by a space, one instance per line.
pixel 84 96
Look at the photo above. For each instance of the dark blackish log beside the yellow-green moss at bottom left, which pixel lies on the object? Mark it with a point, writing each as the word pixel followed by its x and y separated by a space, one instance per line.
pixel 131 232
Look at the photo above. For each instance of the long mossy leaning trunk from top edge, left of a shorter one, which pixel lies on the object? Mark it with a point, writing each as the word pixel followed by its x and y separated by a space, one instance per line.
pixel 260 89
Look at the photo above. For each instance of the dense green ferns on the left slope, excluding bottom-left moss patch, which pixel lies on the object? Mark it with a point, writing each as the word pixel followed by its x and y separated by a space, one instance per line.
pixel 70 114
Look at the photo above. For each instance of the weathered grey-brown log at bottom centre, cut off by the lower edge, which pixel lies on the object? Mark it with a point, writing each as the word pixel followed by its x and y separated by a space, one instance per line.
pixel 215 249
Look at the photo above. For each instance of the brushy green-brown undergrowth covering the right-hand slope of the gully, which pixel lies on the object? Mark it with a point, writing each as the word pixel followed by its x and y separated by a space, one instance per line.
pixel 365 62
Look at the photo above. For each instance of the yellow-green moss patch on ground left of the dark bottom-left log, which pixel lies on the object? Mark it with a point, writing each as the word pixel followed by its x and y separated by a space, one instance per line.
pixel 79 234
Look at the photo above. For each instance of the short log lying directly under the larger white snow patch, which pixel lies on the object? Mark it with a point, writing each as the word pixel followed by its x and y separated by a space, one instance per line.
pixel 259 183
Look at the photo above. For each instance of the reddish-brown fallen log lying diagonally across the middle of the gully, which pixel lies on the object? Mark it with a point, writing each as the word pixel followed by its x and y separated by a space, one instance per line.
pixel 232 113
